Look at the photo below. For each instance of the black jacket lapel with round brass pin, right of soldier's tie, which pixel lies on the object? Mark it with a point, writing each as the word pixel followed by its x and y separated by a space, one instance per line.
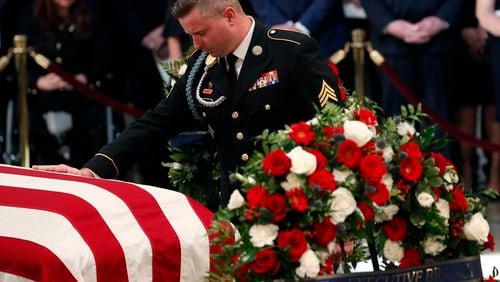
pixel 254 64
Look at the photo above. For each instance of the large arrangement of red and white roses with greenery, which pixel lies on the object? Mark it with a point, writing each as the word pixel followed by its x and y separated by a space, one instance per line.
pixel 347 177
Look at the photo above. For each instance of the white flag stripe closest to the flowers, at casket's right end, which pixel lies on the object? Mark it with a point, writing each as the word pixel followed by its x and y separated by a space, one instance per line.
pixel 195 246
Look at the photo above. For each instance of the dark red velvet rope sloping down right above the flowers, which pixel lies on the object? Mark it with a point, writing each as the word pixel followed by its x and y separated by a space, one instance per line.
pixel 441 122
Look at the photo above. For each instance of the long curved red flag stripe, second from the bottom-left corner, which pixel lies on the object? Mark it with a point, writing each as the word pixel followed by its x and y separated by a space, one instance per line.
pixel 107 251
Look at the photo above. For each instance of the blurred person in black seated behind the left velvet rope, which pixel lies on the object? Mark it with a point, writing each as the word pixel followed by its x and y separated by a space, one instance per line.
pixel 65 125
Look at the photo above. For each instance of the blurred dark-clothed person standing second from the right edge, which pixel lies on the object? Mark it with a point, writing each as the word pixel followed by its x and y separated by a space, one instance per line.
pixel 474 92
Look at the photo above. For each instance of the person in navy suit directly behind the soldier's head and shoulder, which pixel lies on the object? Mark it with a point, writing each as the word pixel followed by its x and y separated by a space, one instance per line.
pixel 322 20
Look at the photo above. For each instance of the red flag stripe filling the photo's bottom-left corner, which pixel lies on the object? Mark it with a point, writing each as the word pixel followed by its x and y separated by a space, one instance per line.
pixel 31 261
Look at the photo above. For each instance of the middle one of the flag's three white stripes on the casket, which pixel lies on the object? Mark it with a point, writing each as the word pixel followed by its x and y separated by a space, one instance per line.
pixel 116 214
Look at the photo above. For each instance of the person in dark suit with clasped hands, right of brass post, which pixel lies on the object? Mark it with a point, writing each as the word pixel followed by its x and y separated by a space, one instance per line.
pixel 418 39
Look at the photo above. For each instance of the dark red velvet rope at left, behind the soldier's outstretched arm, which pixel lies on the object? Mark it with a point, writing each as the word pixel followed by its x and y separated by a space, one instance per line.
pixel 94 94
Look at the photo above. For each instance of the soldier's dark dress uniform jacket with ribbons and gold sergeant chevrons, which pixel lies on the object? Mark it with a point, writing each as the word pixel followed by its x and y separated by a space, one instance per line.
pixel 282 78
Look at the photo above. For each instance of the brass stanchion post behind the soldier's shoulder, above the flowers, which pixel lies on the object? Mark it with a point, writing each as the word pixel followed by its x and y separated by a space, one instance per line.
pixel 358 50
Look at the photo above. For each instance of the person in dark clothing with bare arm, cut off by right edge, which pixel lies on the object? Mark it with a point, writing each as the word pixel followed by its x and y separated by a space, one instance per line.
pixel 488 14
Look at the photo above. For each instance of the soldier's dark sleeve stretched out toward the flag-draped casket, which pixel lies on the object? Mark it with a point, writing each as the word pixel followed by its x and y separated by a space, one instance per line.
pixel 170 117
